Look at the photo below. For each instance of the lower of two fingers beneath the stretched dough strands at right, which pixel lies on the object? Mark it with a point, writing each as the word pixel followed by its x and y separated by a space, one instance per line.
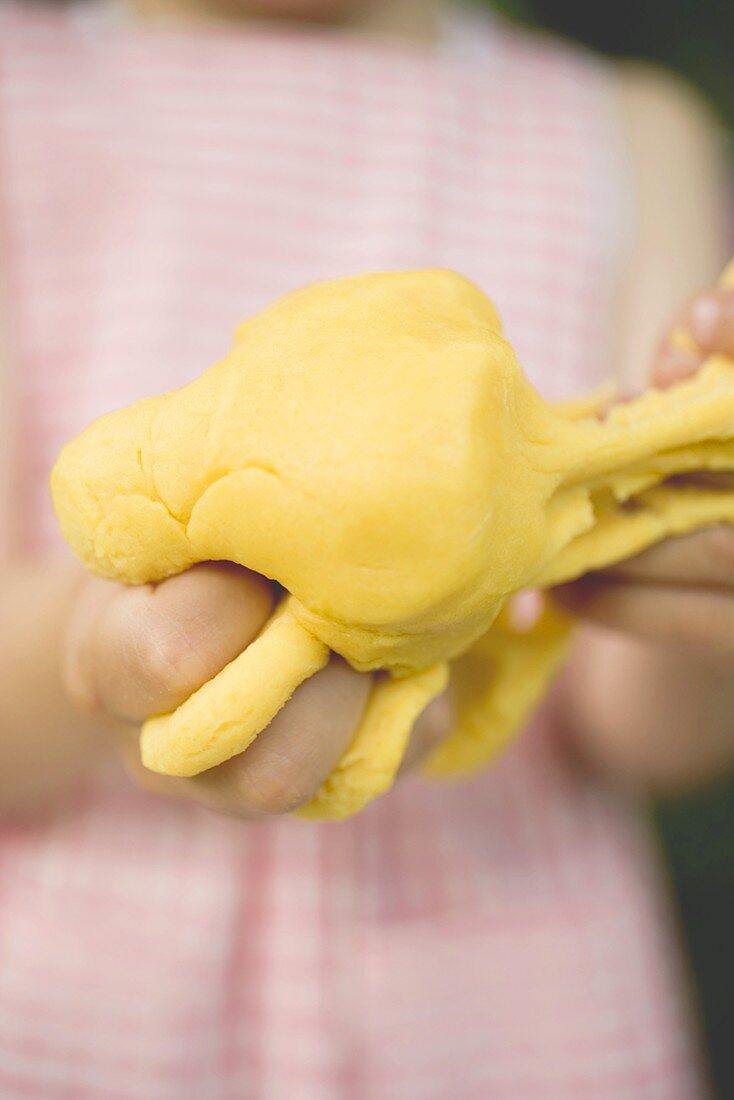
pixel 684 618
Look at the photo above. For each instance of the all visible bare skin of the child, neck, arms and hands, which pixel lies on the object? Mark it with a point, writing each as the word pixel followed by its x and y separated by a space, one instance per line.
pixel 648 698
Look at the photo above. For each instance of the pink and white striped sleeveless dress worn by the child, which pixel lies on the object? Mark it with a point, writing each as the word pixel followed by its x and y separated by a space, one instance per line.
pixel 505 940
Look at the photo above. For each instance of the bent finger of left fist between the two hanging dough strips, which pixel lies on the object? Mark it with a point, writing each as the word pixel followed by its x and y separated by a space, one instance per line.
pixel 288 763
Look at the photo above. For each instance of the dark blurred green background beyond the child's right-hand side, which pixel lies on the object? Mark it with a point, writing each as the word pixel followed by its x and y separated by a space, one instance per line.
pixel 696 38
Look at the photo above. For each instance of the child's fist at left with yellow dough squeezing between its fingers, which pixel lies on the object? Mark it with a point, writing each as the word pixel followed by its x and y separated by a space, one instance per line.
pixel 135 653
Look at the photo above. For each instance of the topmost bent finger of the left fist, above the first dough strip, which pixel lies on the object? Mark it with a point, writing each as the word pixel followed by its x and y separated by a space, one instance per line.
pixel 148 650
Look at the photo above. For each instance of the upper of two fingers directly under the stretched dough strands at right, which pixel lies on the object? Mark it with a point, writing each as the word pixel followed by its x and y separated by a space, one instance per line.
pixel 705 559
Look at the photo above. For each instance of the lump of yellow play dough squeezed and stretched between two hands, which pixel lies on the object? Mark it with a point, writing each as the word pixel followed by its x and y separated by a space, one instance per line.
pixel 373 445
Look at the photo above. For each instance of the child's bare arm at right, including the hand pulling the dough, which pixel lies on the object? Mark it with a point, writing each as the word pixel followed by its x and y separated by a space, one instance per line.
pixel 650 692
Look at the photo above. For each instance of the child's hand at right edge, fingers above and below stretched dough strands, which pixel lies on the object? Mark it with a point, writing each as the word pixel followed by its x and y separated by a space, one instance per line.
pixel 683 590
